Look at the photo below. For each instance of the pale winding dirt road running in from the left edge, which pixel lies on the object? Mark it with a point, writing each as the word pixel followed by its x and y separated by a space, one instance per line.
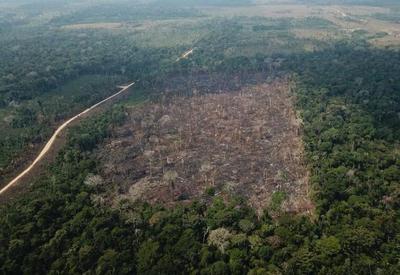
pixel 50 143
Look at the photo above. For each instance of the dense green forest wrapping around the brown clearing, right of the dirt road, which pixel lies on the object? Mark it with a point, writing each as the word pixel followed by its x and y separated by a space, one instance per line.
pixel 351 129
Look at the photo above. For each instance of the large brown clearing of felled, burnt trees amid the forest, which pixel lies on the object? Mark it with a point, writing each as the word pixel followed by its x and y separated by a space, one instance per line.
pixel 244 143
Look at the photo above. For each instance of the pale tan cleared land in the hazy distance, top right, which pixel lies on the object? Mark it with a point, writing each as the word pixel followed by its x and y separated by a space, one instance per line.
pixel 347 19
